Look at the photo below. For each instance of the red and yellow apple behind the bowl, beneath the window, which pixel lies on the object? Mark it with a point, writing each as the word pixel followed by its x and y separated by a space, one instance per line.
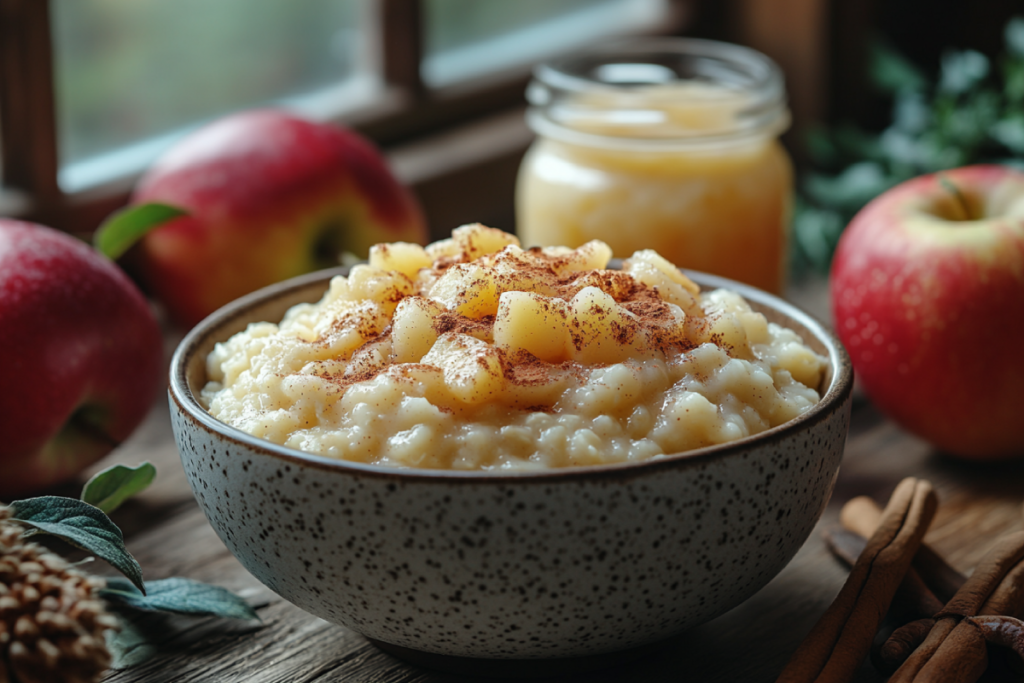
pixel 270 196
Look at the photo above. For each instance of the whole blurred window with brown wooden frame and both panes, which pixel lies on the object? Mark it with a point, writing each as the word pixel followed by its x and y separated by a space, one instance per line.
pixel 130 77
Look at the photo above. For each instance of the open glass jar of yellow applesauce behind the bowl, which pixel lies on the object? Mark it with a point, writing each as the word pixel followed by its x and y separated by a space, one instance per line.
pixel 669 145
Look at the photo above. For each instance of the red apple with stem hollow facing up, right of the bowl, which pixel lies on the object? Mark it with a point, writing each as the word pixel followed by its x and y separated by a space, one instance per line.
pixel 928 293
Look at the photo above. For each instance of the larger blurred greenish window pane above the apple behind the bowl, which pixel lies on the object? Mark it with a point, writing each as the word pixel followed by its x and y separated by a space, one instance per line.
pixel 134 74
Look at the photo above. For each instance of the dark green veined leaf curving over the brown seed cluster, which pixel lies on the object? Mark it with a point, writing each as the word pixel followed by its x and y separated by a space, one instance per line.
pixel 82 526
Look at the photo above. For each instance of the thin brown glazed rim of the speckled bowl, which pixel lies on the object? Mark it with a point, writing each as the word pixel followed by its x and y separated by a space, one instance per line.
pixel 838 394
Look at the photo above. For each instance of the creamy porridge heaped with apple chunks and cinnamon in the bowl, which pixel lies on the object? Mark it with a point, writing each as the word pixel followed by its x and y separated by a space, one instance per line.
pixel 475 355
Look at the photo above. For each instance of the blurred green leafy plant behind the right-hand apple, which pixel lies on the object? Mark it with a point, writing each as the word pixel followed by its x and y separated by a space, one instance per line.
pixel 971 113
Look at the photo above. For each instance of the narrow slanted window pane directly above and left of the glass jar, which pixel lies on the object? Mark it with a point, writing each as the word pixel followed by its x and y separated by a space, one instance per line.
pixel 470 38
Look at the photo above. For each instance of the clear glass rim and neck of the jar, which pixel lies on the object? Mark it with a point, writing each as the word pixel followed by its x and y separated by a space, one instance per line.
pixel 625 70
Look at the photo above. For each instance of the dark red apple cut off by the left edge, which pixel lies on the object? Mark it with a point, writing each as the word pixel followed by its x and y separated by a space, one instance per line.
pixel 82 358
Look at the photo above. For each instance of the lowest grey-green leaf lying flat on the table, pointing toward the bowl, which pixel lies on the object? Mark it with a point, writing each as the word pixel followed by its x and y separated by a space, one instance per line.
pixel 182 596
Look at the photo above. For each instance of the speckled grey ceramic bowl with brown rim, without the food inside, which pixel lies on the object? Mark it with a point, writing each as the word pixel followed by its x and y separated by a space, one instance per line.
pixel 565 564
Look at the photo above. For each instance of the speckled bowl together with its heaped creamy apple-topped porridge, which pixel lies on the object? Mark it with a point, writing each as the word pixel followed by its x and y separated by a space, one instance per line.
pixel 490 453
